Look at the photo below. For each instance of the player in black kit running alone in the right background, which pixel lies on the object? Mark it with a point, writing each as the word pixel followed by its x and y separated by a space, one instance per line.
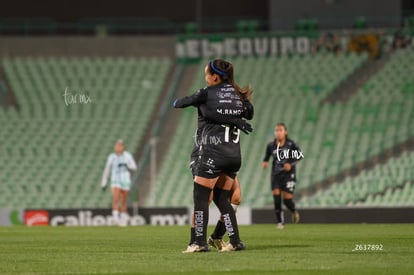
pixel 285 155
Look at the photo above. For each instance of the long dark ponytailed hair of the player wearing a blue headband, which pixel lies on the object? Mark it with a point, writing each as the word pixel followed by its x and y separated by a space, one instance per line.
pixel 225 70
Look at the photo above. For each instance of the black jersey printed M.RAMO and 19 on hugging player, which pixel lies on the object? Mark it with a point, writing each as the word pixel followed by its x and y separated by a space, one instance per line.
pixel 224 105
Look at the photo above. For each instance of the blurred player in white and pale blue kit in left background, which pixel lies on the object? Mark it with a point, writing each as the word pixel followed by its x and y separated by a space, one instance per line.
pixel 119 165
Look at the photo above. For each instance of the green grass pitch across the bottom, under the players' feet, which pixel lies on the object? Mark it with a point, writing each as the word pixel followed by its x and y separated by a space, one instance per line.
pixel 306 249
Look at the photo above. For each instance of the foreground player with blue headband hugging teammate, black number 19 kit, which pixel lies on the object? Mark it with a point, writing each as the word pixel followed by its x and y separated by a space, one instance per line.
pixel 220 157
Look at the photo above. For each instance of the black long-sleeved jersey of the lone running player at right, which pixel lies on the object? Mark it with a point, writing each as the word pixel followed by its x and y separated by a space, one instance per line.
pixel 288 153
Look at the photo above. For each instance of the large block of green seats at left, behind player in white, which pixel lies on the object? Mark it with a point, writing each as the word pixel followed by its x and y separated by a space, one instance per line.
pixel 54 152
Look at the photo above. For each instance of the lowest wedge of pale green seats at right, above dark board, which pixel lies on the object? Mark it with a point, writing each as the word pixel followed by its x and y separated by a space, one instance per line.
pixel 390 184
